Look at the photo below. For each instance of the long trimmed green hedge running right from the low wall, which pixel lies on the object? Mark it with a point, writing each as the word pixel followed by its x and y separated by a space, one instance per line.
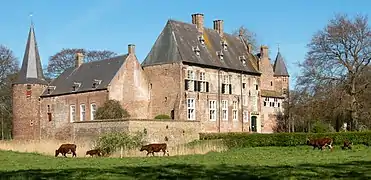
pixel 239 140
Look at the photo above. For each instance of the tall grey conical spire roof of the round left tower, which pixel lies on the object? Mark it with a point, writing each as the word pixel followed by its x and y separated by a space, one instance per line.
pixel 31 71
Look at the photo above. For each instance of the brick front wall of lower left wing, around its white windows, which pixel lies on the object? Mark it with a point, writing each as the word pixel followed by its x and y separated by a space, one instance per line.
pixel 60 127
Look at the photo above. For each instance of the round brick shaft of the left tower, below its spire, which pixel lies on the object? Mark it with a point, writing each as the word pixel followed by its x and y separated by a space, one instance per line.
pixel 26 111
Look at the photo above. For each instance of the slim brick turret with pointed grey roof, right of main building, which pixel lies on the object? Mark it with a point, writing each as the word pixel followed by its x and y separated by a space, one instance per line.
pixel 281 76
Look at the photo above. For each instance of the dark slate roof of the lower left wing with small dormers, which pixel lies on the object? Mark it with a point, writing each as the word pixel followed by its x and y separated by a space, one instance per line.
pixel 86 73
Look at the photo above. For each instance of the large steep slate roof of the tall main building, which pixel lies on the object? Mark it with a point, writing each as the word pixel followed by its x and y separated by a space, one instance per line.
pixel 175 42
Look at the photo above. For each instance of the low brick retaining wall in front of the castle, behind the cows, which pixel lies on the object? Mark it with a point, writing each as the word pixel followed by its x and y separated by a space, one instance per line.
pixel 177 132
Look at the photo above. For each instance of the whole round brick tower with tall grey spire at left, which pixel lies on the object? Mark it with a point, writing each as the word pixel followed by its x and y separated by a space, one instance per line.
pixel 27 88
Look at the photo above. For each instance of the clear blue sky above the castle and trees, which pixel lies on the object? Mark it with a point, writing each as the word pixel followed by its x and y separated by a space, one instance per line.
pixel 113 24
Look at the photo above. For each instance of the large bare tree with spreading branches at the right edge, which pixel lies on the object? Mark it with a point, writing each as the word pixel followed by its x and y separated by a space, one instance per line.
pixel 338 54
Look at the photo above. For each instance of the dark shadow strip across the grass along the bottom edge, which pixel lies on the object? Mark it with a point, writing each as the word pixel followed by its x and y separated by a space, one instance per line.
pixel 351 170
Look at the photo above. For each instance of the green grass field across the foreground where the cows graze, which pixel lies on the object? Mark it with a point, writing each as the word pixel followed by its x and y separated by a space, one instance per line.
pixel 249 163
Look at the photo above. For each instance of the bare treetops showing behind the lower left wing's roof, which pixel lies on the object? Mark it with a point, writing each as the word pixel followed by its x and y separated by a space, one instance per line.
pixel 66 59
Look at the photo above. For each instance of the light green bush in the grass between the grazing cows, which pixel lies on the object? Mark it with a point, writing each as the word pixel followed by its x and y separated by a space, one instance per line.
pixel 110 142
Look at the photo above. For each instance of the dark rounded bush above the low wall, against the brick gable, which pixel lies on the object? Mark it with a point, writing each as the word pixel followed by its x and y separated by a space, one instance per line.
pixel 111 109
